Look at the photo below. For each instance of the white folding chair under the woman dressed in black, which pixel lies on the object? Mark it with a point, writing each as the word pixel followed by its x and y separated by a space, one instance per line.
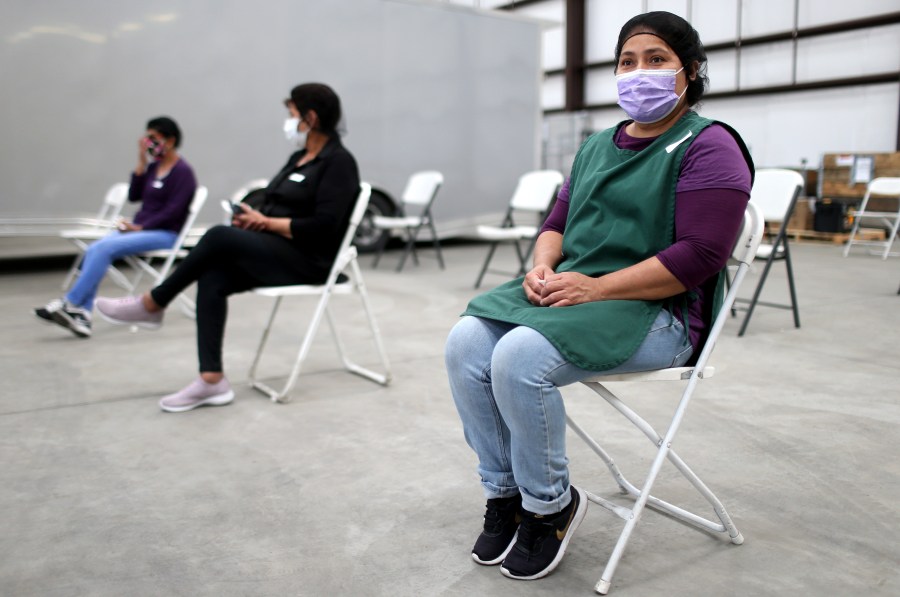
pixel 336 283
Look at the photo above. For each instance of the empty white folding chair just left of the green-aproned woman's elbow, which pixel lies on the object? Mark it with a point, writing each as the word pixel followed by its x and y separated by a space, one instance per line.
pixel 533 195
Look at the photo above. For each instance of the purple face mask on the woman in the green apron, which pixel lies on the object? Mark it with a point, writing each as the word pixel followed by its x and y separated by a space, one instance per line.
pixel 648 96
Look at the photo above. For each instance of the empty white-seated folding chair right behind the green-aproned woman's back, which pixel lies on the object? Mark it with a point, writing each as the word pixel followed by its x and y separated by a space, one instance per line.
pixel 775 191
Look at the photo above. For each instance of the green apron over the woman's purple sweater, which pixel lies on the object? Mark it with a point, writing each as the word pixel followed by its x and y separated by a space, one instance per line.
pixel 621 212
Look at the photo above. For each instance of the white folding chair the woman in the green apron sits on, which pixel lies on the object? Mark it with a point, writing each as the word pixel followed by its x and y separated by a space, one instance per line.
pixel 742 255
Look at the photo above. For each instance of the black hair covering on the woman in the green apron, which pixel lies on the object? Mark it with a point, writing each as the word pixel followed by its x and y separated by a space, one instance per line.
pixel 681 37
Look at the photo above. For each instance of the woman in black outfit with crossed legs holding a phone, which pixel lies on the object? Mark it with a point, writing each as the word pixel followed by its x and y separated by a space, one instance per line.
pixel 292 238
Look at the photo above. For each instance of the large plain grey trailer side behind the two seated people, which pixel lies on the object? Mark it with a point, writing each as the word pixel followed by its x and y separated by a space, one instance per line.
pixel 425 85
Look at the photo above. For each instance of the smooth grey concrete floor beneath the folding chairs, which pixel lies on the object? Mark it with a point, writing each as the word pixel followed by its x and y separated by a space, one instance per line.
pixel 355 489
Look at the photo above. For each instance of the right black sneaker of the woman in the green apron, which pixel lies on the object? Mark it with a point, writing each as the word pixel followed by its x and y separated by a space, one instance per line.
pixel 542 540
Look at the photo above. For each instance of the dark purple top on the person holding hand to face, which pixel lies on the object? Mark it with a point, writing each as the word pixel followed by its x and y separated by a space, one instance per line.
pixel 164 201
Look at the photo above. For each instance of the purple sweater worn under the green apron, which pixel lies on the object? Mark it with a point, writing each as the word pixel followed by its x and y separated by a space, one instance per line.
pixel 710 198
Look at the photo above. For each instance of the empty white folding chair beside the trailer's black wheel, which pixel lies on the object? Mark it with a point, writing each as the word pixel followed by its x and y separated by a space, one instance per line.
pixel 419 194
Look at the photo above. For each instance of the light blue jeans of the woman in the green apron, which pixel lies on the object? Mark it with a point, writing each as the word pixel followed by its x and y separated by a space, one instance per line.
pixel 505 382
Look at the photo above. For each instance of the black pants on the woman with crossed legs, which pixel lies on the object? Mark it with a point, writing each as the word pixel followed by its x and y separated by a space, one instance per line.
pixel 229 260
